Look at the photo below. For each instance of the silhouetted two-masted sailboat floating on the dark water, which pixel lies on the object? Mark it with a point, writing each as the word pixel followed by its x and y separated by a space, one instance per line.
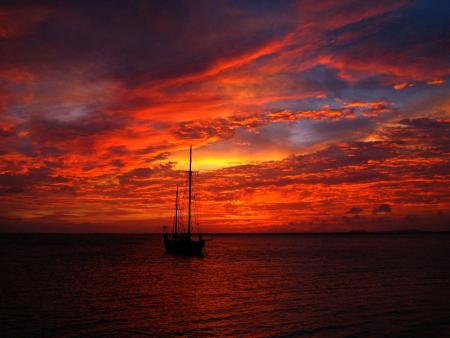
pixel 184 243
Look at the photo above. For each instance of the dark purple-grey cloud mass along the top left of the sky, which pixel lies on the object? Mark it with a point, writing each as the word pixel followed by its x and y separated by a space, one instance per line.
pixel 139 41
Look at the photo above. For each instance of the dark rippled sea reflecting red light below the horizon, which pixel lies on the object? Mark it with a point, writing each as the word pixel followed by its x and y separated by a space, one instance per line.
pixel 259 286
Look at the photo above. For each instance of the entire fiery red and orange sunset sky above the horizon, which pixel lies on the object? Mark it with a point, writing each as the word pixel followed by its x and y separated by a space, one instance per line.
pixel 303 115
